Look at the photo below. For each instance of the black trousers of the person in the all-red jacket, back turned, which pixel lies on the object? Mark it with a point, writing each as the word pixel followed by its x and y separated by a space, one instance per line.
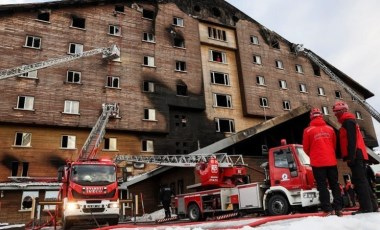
pixel 330 174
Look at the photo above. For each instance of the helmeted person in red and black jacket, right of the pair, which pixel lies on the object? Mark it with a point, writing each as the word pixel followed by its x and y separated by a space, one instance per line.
pixel 354 151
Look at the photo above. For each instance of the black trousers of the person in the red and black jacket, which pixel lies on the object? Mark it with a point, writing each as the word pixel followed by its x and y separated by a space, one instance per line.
pixel 361 186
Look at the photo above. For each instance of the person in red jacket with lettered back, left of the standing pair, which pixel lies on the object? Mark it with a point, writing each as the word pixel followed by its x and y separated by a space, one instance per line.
pixel 319 142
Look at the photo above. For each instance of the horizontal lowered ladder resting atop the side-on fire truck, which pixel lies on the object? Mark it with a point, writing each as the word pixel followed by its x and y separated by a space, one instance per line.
pixel 224 160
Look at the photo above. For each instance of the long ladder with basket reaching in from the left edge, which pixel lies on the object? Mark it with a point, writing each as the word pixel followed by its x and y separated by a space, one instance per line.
pixel 109 53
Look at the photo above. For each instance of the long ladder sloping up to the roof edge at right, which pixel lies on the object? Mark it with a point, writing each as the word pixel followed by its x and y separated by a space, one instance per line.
pixel 375 114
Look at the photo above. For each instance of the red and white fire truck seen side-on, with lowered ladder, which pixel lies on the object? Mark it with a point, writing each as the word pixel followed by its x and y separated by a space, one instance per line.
pixel 223 188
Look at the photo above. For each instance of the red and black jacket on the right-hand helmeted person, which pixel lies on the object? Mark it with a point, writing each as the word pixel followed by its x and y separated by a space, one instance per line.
pixel 350 138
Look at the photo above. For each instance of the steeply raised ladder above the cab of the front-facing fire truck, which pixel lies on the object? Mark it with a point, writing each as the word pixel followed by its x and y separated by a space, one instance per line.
pixel 97 133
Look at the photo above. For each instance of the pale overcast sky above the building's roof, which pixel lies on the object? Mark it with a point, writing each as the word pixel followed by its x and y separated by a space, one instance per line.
pixel 343 32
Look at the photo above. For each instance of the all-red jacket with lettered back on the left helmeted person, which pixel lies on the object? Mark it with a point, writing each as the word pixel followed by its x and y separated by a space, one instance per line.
pixel 319 142
